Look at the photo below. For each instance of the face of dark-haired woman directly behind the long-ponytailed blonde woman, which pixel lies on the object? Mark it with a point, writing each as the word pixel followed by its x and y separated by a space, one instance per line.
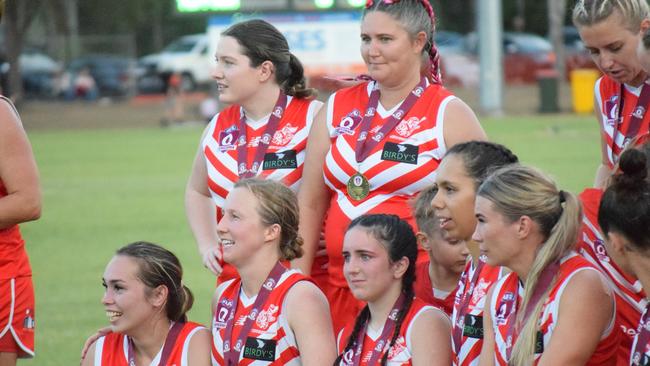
pixel 454 201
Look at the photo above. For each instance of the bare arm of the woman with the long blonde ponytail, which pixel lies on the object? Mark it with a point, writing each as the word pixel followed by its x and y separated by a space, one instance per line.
pixel 586 310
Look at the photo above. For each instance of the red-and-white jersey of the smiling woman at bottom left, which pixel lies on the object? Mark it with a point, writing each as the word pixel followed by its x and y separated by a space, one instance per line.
pixel 112 349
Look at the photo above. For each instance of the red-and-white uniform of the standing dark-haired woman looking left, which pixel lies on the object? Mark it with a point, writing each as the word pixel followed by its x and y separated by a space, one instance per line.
pixel 283 161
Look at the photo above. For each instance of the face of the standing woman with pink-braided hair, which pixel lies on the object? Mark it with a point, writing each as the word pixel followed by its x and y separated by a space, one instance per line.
pixel 388 50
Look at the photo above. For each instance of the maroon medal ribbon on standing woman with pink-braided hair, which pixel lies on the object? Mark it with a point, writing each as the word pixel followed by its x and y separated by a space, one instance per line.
pixel 364 147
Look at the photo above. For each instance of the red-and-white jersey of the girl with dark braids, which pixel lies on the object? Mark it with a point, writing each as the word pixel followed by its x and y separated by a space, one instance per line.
pixel 398 355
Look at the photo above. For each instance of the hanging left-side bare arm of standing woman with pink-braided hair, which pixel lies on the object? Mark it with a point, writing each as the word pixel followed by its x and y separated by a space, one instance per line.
pixel 313 196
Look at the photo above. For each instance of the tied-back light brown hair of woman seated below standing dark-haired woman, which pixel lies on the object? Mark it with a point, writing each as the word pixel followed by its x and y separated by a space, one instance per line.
pixel 277 204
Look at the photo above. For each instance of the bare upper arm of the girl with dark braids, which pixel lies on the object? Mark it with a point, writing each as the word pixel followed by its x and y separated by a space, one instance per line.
pixel 430 339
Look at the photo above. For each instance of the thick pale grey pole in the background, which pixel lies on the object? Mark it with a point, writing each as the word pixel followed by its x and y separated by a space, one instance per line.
pixel 490 46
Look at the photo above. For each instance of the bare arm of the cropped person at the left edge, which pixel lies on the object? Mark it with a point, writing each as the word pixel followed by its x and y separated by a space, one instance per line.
pixel 18 172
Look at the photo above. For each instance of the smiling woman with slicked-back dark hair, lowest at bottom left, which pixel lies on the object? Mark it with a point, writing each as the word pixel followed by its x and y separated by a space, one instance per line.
pixel 146 304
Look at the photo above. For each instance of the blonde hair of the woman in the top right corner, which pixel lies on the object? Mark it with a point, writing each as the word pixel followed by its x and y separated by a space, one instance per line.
pixel 590 12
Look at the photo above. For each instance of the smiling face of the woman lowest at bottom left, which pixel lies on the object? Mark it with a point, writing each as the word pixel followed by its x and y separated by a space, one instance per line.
pixel 126 299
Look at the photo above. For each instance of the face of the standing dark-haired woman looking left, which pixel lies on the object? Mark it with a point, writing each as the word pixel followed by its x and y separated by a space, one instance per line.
pixel 237 80
